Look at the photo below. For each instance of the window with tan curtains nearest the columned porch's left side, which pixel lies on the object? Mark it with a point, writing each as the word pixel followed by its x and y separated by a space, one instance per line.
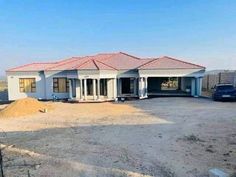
pixel 60 85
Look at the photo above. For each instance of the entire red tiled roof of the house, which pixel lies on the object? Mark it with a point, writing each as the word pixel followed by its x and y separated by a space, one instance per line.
pixel 110 61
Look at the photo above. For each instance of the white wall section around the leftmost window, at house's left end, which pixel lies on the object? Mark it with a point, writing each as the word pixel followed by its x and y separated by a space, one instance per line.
pixel 14 85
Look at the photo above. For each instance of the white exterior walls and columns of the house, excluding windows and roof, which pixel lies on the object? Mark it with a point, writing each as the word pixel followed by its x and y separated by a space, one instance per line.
pixel 44 81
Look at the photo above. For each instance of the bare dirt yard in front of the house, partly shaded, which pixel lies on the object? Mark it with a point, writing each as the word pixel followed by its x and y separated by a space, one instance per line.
pixel 156 137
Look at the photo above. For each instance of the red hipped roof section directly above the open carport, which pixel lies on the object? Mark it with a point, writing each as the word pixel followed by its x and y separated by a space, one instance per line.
pixel 169 63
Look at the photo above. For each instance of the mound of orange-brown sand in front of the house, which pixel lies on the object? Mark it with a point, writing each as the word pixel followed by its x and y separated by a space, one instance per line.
pixel 23 107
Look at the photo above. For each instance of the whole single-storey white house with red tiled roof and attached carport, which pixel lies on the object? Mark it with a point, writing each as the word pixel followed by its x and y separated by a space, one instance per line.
pixel 105 77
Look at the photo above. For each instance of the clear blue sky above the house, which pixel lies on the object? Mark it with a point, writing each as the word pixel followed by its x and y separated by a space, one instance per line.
pixel 200 31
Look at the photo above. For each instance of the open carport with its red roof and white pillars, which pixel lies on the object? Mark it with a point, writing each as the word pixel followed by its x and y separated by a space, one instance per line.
pixel 170 77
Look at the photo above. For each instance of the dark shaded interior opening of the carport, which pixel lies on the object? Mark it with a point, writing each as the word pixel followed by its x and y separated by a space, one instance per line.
pixel 168 86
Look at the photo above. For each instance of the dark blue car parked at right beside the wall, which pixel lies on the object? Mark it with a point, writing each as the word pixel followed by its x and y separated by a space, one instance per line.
pixel 224 92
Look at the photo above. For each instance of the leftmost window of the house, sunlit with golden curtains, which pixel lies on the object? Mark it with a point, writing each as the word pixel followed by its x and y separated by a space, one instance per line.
pixel 27 85
